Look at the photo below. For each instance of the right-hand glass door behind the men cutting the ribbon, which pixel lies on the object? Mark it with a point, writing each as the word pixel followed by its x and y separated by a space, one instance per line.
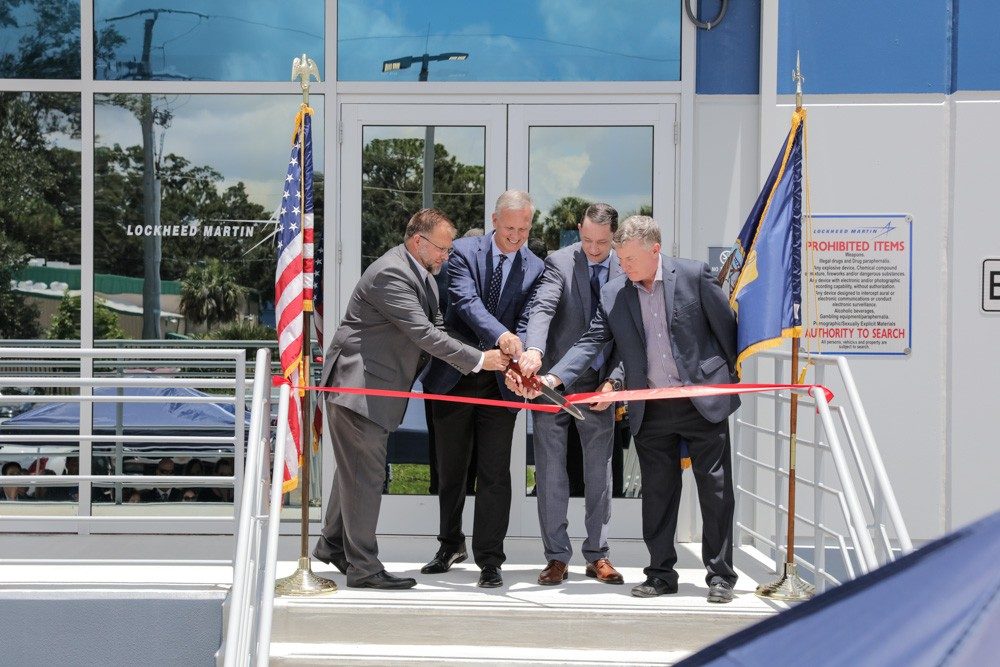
pixel 569 156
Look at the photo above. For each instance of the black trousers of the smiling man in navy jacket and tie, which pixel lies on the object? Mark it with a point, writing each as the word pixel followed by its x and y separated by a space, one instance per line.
pixel 456 427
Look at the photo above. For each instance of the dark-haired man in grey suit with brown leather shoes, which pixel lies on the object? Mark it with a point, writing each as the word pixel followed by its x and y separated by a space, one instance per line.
pixel 563 306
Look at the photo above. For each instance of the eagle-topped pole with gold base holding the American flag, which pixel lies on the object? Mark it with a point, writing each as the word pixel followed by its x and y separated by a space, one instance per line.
pixel 303 581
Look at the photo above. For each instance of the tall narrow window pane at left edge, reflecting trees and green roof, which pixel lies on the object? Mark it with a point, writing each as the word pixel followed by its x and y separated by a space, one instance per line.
pixel 39 215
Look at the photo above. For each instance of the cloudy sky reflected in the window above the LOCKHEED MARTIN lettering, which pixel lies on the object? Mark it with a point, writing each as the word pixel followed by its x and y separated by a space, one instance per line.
pixel 244 137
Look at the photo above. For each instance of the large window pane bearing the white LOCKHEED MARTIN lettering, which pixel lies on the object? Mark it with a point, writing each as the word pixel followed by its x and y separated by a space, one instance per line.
pixel 213 197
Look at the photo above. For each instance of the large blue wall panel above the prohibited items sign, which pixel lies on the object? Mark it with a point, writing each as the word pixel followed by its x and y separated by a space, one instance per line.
pixel 860 46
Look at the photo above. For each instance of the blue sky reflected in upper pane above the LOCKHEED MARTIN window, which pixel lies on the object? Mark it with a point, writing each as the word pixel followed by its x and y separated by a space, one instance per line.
pixel 222 40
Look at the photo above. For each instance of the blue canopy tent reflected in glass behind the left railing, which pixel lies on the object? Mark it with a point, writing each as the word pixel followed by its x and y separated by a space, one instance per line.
pixel 165 418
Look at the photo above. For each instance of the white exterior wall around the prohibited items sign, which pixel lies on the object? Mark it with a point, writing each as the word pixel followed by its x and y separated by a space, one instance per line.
pixel 930 156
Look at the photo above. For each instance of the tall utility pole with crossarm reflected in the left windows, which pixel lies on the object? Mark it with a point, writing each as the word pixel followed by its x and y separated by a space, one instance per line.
pixel 152 248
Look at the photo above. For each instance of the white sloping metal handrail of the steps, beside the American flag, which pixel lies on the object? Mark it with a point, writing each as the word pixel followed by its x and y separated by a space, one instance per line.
pixel 249 602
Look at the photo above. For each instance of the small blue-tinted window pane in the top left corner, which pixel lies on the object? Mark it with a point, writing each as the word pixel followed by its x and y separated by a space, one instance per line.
pixel 40 39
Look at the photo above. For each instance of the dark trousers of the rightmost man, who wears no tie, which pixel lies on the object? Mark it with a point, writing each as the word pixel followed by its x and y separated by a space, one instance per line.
pixel 664 424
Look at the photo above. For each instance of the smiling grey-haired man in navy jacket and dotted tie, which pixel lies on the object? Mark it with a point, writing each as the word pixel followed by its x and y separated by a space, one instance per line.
pixel 490 279
